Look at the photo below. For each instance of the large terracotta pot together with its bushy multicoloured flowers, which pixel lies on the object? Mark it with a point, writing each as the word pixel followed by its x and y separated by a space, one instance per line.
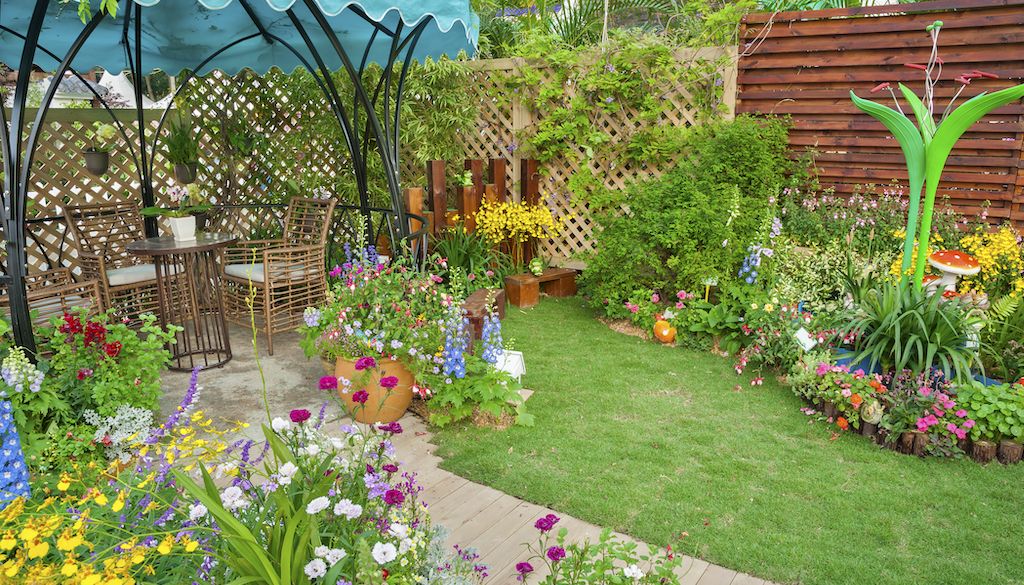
pixel 380 322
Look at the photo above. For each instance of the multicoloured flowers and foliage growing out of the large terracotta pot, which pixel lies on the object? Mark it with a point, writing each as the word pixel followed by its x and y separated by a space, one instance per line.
pixel 388 310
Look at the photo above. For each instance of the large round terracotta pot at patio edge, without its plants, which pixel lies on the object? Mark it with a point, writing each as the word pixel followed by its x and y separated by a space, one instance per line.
pixel 385 405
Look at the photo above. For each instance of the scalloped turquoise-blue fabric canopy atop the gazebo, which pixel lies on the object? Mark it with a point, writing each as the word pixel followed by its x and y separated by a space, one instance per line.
pixel 179 34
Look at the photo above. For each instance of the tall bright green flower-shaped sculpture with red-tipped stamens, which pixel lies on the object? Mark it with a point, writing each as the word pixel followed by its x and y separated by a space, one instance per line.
pixel 927 147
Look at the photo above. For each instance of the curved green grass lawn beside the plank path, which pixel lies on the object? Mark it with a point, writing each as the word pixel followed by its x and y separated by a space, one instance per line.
pixel 654 442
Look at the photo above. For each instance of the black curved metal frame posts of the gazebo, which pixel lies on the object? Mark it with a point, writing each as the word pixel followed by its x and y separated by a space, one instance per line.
pixel 18 152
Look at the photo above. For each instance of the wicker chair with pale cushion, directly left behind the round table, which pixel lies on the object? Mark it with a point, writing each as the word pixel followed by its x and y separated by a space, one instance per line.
pixel 102 234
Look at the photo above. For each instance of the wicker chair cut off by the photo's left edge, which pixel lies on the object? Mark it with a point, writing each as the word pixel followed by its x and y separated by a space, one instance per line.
pixel 54 292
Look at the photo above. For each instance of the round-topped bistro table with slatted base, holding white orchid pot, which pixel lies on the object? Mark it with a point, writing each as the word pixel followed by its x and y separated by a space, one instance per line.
pixel 190 297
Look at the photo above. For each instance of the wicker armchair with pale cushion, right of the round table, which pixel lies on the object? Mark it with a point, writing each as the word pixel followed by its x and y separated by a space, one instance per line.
pixel 286 275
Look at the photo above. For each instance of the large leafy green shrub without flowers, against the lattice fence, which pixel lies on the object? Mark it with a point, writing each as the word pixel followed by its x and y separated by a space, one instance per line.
pixel 694 225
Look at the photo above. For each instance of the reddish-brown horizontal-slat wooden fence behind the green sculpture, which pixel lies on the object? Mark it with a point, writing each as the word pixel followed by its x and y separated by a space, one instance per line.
pixel 805 65
